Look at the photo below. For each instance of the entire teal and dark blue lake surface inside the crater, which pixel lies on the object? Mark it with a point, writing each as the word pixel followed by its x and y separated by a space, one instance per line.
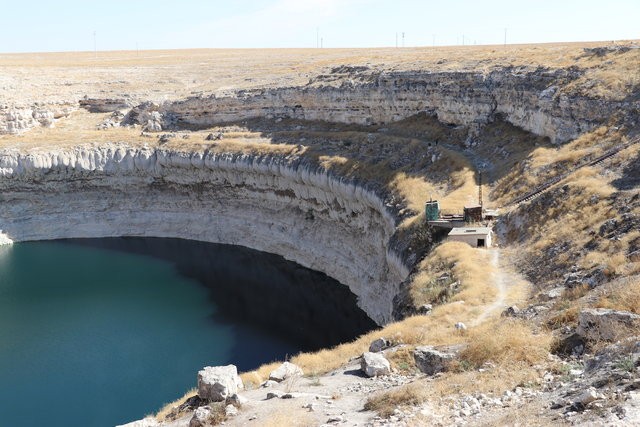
pixel 97 332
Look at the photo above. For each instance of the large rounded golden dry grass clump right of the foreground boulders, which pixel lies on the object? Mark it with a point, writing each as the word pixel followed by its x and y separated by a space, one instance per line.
pixel 505 342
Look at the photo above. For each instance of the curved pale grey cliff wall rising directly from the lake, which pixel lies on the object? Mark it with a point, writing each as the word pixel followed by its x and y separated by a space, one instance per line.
pixel 280 205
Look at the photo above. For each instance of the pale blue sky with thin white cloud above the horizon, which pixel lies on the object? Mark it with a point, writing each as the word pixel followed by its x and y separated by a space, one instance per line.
pixel 69 25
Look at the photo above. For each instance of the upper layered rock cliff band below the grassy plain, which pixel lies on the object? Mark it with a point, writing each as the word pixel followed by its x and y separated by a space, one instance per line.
pixel 529 99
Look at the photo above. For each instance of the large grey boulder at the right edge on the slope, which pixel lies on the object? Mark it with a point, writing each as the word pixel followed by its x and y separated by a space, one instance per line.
pixel 597 324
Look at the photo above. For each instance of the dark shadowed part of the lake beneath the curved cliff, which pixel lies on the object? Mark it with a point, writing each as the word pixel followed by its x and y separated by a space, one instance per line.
pixel 257 293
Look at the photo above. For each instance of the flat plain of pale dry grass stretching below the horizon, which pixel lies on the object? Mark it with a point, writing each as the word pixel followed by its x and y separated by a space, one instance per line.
pixel 170 73
